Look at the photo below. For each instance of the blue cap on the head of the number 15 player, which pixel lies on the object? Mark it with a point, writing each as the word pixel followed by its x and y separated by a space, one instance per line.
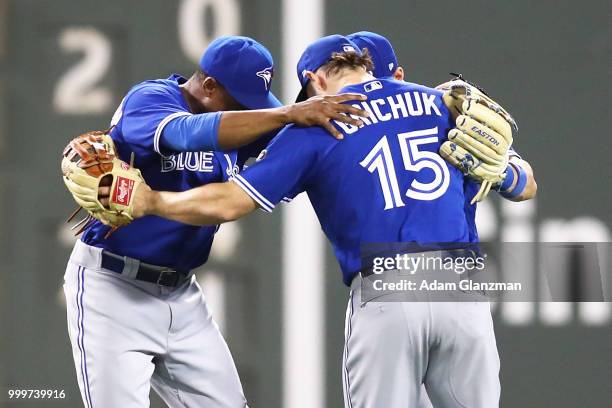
pixel 317 54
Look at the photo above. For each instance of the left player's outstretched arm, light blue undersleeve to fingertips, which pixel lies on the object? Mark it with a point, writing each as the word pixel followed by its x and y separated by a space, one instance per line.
pixel 234 129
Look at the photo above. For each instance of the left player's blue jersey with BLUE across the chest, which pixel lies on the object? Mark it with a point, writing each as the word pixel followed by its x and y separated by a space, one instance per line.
pixel 138 124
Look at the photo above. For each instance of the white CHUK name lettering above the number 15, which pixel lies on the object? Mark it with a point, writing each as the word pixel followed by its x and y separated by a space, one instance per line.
pixel 402 105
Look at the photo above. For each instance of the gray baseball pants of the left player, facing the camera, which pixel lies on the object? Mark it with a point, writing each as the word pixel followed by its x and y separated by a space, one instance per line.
pixel 128 335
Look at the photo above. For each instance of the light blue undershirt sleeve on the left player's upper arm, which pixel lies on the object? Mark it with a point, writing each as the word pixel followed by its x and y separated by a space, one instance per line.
pixel 191 133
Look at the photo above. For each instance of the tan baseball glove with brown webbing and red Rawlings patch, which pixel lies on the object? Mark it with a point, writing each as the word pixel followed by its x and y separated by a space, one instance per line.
pixel 90 161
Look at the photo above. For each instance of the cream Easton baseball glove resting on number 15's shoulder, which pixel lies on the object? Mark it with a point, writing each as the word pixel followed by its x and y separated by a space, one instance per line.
pixel 483 134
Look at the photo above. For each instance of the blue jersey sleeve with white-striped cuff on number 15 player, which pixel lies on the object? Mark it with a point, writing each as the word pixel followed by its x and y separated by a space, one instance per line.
pixel 285 168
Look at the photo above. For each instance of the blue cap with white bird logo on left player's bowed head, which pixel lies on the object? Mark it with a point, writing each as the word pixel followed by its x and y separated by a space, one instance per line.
pixel 245 69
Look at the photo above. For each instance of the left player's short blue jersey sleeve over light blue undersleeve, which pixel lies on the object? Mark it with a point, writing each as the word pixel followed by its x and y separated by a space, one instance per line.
pixel 145 113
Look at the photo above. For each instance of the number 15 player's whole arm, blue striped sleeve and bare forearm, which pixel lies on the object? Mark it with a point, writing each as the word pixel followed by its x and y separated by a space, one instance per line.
pixel 292 160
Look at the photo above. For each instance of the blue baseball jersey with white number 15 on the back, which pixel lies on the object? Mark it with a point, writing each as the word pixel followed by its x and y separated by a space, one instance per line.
pixel 385 182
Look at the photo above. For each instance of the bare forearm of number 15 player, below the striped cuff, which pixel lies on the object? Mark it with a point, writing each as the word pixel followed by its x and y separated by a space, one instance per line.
pixel 210 204
